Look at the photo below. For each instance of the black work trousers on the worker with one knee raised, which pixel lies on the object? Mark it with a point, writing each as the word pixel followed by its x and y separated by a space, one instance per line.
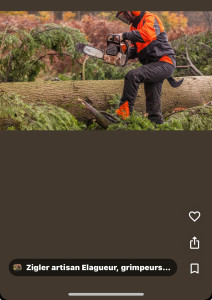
pixel 152 75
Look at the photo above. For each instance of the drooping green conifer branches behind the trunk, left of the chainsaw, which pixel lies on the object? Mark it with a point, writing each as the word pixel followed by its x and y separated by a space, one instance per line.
pixel 22 53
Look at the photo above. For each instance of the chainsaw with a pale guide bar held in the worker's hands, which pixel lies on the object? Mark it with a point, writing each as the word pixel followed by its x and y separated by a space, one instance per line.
pixel 116 53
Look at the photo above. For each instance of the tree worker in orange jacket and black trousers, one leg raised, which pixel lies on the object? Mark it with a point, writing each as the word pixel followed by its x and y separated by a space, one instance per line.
pixel 149 43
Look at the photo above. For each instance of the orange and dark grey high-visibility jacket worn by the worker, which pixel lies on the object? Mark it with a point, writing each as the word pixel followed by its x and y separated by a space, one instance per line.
pixel 149 40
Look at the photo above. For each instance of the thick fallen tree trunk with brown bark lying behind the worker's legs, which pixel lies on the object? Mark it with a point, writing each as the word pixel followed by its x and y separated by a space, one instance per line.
pixel 194 91
